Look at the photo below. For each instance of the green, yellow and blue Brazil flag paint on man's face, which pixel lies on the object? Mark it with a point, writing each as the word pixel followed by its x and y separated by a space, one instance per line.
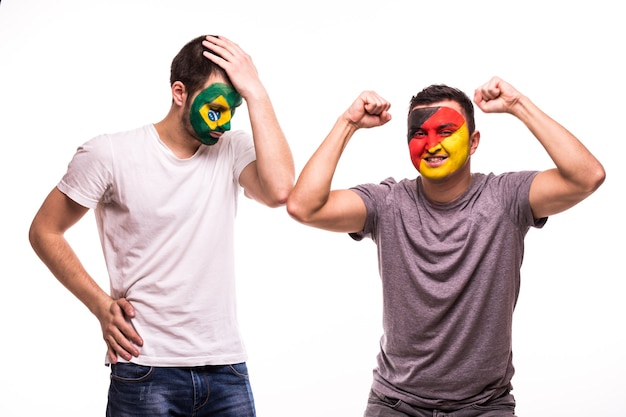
pixel 212 110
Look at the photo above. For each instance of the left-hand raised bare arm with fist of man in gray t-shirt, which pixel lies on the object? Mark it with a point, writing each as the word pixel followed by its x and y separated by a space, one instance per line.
pixel 312 202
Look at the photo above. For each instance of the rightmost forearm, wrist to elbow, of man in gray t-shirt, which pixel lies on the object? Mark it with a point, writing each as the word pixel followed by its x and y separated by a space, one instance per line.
pixel 572 159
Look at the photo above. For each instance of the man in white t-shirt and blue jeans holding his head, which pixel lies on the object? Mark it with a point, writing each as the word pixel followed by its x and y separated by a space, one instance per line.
pixel 165 197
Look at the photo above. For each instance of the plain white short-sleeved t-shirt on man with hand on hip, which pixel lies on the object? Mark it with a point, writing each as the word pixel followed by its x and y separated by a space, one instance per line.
pixel 167 228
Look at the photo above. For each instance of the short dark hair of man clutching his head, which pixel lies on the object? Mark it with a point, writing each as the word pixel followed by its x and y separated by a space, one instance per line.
pixel 192 69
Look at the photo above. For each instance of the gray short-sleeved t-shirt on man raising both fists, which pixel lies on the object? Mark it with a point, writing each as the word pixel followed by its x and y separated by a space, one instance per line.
pixel 450 280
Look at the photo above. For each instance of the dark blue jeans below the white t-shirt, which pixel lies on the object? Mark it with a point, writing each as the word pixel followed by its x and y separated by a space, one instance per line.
pixel 204 391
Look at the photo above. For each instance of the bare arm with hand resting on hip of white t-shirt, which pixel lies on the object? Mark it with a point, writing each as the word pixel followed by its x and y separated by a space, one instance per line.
pixel 57 214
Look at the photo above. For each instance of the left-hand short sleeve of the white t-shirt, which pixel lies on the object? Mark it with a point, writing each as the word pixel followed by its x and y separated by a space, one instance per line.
pixel 88 176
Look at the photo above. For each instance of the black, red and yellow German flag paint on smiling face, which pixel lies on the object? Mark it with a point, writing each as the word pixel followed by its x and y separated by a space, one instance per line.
pixel 438 141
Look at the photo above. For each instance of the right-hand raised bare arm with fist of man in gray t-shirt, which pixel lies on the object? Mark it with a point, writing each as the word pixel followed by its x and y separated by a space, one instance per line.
pixel 577 174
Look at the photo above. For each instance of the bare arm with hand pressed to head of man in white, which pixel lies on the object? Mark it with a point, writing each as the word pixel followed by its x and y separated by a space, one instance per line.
pixel 270 178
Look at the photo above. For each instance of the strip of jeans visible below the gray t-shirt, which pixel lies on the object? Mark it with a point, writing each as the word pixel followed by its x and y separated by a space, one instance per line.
pixel 379 405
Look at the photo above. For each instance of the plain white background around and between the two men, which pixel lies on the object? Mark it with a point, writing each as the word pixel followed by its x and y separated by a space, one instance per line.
pixel 309 300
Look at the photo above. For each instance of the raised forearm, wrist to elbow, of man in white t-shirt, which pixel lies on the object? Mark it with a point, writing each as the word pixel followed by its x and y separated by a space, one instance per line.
pixel 274 160
